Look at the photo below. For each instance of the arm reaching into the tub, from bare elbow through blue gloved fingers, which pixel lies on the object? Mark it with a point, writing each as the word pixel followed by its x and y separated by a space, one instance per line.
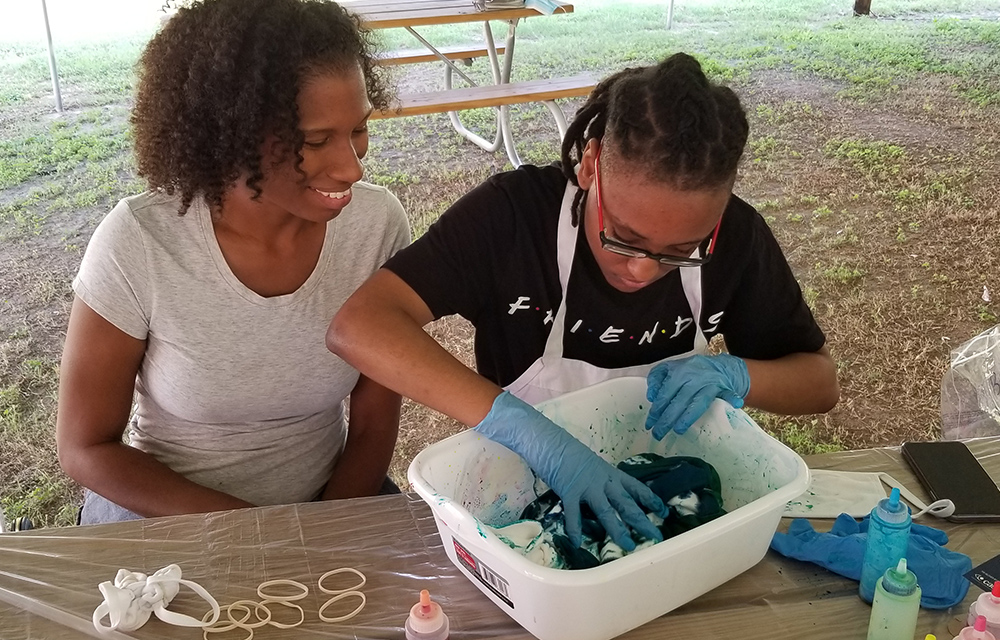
pixel 379 330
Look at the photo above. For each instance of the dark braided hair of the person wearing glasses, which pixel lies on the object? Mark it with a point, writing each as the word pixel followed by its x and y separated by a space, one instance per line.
pixel 669 118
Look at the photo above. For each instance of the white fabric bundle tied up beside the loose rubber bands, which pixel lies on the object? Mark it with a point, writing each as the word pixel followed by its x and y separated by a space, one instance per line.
pixel 134 596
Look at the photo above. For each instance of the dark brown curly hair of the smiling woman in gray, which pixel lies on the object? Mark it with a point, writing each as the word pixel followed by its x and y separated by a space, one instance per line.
pixel 222 75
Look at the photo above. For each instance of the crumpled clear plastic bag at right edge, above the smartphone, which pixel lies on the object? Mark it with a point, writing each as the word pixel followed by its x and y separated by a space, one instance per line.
pixel 970 389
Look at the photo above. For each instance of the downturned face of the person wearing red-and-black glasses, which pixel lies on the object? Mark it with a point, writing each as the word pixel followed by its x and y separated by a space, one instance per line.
pixel 644 213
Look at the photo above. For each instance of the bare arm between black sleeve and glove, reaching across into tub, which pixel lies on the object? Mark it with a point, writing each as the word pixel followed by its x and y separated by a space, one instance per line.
pixel 379 331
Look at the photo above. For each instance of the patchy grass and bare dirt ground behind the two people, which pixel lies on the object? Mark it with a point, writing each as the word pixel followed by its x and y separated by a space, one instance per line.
pixel 874 149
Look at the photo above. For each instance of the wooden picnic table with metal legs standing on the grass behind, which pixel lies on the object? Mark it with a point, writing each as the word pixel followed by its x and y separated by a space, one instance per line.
pixel 411 14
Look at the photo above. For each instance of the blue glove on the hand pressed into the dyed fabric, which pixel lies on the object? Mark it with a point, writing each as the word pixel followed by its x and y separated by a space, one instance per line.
pixel 574 472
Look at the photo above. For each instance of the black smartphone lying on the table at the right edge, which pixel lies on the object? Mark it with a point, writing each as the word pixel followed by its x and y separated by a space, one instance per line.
pixel 947 469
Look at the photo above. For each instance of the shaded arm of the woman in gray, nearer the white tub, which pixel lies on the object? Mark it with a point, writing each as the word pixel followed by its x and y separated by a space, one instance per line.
pixel 371 437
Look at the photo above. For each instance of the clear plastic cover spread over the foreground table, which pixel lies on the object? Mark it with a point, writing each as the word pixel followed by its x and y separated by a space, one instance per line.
pixel 49 577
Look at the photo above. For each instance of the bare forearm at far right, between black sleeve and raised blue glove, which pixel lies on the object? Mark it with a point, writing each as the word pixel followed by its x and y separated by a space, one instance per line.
pixel 795 384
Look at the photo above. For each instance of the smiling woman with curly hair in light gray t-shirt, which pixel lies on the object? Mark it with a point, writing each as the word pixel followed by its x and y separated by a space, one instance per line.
pixel 251 123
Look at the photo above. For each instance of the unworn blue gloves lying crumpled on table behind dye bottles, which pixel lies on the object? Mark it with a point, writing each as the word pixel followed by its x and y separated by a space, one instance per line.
pixel 939 571
